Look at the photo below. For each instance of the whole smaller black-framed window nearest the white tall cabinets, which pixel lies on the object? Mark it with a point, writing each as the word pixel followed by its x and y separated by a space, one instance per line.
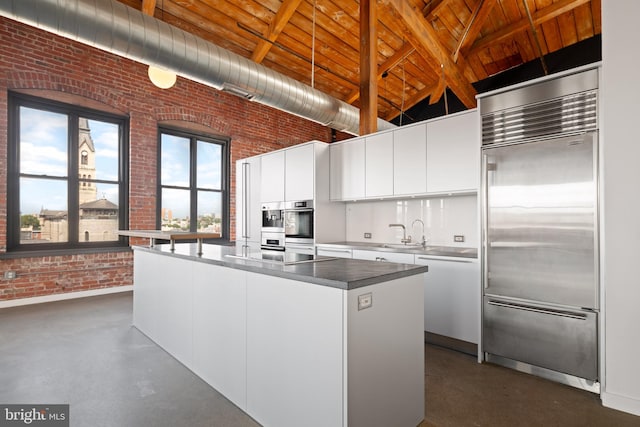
pixel 194 184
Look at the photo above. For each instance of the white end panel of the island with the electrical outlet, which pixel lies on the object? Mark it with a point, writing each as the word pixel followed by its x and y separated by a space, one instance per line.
pixel 385 354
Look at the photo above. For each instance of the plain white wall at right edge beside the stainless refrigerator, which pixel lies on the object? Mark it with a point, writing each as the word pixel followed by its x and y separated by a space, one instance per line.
pixel 620 138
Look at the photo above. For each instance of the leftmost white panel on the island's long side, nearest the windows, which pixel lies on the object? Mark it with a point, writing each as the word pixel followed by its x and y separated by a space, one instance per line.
pixel 162 302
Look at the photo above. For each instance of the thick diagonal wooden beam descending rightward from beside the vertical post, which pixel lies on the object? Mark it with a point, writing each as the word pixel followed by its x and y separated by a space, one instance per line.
pixel 425 40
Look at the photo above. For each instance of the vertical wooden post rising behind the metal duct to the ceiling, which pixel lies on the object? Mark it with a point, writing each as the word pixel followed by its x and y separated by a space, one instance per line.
pixel 368 67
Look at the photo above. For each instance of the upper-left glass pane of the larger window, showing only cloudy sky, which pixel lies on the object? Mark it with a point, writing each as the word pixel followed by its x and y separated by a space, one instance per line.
pixel 43 142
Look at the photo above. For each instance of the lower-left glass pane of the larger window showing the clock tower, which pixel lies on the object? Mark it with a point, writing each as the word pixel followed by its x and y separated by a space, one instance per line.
pixel 46 200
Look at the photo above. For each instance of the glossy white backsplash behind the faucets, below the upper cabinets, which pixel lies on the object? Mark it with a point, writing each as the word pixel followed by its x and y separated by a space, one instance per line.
pixel 443 218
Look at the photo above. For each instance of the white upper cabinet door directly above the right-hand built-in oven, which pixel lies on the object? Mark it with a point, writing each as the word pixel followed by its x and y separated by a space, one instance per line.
pixel 299 173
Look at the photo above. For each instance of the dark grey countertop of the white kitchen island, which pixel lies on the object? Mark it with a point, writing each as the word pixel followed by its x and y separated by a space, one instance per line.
pixel 339 273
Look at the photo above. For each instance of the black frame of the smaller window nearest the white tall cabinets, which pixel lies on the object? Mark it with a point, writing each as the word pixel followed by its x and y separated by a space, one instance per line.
pixel 225 186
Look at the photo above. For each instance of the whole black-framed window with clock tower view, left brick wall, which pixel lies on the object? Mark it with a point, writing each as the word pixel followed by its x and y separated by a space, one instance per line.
pixel 67 170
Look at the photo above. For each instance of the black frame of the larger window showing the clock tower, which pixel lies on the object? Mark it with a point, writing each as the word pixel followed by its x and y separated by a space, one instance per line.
pixel 73 112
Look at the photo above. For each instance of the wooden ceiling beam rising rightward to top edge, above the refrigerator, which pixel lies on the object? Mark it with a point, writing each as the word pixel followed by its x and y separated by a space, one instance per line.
pixel 539 17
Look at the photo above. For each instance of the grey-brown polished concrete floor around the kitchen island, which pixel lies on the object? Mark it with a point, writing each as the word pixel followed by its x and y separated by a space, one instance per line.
pixel 85 352
